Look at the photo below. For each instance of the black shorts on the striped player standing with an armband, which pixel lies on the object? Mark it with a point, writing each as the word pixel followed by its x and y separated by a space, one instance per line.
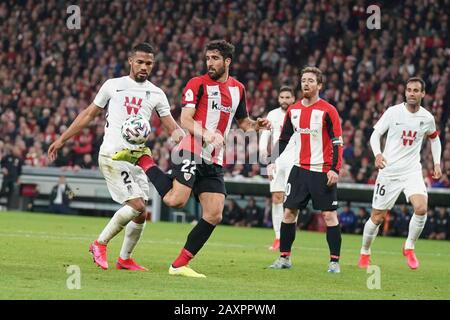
pixel 304 185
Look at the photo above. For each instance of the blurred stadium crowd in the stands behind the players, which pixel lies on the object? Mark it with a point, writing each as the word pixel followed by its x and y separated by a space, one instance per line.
pixel 49 73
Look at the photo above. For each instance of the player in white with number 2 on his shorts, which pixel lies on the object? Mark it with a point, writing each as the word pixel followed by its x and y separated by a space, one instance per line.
pixel 127 184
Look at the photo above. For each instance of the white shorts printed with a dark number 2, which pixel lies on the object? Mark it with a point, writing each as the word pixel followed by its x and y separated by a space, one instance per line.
pixel 124 180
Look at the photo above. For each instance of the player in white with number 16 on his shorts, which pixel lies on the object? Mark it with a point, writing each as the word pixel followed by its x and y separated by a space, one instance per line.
pixel 400 169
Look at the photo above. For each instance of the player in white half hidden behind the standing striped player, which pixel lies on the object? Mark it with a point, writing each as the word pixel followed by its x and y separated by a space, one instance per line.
pixel 284 163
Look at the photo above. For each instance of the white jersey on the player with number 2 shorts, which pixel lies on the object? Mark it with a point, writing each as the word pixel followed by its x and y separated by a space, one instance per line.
pixel 124 97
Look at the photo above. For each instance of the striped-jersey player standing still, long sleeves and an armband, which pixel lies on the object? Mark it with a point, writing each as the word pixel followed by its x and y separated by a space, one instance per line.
pixel 315 126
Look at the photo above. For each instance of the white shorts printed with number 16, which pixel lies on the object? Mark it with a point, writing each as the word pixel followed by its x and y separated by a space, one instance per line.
pixel 387 190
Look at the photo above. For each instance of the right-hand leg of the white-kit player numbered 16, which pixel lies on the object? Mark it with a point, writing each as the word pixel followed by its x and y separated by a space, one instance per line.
pixel 416 193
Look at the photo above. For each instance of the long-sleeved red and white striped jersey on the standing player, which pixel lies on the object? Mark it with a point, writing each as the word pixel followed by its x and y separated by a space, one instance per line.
pixel 318 136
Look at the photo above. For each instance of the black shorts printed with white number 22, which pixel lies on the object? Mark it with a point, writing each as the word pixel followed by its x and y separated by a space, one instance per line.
pixel 193 172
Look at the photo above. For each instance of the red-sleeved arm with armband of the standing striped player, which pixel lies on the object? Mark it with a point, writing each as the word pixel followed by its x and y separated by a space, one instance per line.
pixel 334 130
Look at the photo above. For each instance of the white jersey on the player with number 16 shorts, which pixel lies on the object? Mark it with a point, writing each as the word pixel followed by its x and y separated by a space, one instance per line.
pixel 406 131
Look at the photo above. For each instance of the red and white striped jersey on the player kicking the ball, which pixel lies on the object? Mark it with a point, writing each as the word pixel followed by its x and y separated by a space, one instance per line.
pixel 216 104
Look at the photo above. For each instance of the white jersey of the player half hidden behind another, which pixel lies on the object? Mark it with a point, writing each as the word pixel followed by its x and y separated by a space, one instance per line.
pixel 276 118
